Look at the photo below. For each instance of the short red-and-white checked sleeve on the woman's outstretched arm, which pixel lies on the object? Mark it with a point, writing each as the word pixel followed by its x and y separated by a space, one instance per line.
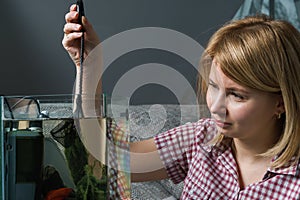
pixel 177 147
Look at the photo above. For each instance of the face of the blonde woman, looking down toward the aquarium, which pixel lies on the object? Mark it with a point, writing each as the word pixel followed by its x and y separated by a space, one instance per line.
pixel 241 112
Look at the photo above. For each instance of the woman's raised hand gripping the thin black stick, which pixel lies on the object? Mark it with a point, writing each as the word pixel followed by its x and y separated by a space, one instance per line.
pixel 73 33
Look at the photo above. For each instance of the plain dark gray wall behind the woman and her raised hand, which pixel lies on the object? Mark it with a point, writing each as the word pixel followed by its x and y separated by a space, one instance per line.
pixel 33 61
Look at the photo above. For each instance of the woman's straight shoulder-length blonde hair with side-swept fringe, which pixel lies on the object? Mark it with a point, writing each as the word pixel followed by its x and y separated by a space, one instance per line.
pixel 262 54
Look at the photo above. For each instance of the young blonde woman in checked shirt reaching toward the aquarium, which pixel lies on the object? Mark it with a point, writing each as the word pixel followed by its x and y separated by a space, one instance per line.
pixel 250 147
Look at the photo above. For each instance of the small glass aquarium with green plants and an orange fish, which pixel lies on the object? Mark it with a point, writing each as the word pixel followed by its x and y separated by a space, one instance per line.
pixel 64 146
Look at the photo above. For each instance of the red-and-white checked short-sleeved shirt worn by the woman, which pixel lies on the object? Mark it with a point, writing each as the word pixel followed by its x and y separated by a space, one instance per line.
pixel 210 172
